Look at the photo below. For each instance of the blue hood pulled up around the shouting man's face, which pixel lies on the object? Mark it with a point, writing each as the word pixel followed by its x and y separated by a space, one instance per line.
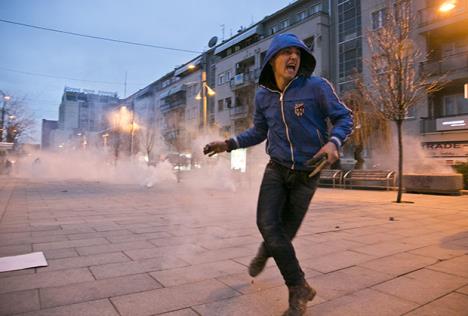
pixel 280 41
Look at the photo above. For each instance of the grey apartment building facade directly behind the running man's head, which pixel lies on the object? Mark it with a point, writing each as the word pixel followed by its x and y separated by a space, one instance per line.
pixel 238 60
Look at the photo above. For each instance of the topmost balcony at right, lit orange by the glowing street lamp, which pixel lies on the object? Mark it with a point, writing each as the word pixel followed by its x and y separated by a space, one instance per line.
pixel 431 17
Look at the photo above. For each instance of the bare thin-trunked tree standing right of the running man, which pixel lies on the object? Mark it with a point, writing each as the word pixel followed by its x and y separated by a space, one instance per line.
pixel 395 85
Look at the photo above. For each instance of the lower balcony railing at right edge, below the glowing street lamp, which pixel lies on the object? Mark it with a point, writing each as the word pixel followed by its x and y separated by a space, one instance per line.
pixel 447 65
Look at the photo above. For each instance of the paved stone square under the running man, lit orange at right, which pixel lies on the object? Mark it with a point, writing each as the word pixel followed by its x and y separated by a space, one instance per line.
pixel 176 250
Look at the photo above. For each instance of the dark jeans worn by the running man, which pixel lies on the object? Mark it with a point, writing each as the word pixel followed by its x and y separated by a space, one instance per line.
pixel 283 201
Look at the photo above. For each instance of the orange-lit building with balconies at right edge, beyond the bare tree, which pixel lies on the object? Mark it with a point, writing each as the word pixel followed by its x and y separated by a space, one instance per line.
pixel 442 27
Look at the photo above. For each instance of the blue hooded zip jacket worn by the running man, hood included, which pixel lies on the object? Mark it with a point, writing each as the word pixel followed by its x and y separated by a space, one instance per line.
pixel 294 121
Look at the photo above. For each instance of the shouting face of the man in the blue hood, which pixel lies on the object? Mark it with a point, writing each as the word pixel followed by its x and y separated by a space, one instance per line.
pixel 286 63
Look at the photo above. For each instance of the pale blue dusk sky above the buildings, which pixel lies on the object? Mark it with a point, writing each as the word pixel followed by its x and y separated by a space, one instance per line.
pixel 101 65
